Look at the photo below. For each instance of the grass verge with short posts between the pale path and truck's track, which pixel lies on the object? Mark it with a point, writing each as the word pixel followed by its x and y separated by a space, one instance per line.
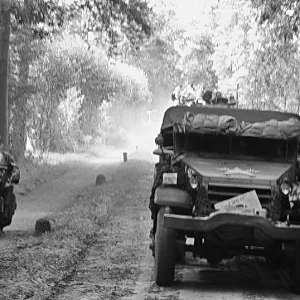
pixel 35 267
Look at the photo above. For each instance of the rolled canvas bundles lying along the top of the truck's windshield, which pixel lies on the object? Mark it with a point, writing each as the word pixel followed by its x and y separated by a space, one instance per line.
pixel 228 125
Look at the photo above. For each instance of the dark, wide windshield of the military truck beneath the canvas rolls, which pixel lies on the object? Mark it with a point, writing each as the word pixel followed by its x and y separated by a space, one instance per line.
pixel 242 147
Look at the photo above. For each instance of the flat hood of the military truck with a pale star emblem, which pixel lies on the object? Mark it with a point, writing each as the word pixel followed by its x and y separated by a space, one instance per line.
pixel 226 170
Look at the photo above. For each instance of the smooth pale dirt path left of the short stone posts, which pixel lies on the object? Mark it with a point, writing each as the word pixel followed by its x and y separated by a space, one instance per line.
pixel 59 193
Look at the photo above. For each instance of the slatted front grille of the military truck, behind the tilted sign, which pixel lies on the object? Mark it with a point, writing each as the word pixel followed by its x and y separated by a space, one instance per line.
pixel 220 193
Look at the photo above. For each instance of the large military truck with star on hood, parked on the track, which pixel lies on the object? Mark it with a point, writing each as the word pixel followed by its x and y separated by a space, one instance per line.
pixel 227 179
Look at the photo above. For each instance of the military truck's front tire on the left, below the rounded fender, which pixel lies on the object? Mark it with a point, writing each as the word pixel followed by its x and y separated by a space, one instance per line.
pixel 164 266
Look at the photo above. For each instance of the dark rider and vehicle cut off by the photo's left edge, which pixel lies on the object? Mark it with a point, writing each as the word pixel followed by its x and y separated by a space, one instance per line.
pixel 9 175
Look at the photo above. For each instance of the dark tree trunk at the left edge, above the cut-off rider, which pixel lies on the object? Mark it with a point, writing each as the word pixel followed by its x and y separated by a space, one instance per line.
pixel 4 47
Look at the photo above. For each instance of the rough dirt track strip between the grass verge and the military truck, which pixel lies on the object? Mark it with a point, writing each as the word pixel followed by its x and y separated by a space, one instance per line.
pixel 112 265
